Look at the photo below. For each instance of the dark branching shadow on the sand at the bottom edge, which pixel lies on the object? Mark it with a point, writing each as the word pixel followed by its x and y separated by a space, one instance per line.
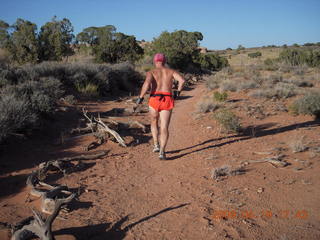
pixel 116 232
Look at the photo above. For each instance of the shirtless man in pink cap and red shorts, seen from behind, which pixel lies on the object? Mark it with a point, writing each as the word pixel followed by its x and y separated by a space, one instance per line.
pixel 161 101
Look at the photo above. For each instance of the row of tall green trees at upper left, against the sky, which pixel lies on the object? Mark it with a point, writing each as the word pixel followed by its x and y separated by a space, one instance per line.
pixel 55 39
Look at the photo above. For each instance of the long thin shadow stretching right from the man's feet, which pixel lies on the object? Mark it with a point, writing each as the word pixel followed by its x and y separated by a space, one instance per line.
pixel 248 133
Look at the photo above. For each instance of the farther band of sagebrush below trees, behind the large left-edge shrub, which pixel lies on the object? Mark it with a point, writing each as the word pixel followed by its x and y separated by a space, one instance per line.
pixel 108 78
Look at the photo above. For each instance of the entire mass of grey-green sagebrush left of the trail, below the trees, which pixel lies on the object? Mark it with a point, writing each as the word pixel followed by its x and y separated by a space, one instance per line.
pixel 29 94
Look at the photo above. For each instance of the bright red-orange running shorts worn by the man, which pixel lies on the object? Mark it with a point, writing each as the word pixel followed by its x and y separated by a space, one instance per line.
pixel 163 102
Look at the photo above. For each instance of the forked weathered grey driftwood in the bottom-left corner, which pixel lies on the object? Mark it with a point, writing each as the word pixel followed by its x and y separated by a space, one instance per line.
pixel 36 225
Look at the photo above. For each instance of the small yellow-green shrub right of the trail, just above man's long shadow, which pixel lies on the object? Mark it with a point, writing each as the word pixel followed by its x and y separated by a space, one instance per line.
pixel 228 120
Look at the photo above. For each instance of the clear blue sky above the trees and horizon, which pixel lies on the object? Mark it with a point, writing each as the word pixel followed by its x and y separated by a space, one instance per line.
pixel 224 23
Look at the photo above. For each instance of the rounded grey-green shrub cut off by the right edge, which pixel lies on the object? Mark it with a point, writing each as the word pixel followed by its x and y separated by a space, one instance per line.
pixel 307 105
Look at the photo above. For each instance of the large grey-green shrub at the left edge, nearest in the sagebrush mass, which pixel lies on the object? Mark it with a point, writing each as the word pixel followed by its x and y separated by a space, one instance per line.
pixel 23 105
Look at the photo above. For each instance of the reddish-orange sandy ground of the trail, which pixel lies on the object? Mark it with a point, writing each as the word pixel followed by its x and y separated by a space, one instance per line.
pixel 130 194
